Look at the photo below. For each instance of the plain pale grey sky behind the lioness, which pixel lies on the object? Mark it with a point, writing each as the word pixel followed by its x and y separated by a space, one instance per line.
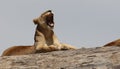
pixel 82 23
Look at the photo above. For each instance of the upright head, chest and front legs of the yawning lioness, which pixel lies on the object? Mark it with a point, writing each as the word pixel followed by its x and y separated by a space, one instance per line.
pixel 45 36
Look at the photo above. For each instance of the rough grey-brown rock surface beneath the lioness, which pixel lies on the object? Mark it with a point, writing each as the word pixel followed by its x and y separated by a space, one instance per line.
pixel 84 58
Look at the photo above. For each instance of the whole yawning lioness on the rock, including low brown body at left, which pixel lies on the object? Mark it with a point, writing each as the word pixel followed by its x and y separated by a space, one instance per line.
pixel 44 39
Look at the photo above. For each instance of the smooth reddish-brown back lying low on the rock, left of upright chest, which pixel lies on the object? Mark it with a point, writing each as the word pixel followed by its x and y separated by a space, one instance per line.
pixel 18 50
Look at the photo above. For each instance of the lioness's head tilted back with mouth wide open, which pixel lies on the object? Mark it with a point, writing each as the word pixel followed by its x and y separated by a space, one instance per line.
pixel 46 19
